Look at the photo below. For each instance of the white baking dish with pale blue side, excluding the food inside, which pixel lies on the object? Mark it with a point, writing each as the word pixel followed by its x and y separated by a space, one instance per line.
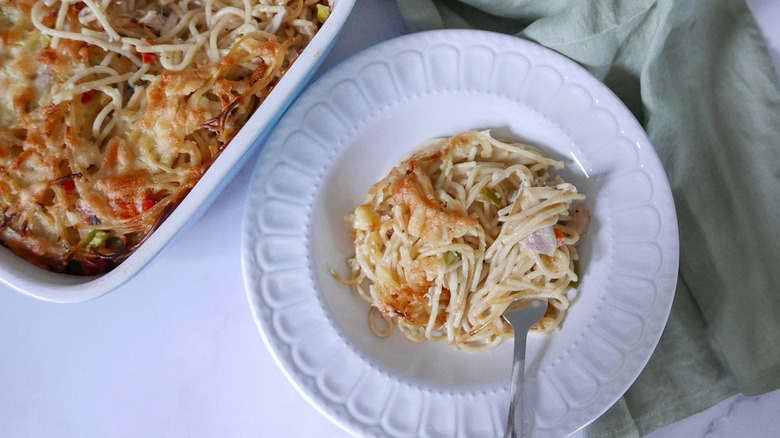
pixel 22 275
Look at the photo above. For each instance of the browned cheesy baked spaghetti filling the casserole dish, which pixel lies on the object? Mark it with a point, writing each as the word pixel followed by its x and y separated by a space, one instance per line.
pixel 111 112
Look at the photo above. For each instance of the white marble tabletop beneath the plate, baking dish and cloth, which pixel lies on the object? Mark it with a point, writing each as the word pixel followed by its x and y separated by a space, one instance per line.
pixel 175 351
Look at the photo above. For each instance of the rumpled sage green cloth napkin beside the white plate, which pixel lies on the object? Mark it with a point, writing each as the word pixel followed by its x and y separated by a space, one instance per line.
pixel 699 77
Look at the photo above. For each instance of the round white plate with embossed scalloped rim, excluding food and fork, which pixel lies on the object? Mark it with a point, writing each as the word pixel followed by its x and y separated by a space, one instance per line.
pixel 347 130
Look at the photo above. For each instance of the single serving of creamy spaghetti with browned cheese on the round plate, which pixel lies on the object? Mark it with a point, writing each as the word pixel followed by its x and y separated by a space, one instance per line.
pixel 459 232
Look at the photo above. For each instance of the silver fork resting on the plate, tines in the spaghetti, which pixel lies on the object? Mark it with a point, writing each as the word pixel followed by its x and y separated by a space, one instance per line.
pixel 522 319
